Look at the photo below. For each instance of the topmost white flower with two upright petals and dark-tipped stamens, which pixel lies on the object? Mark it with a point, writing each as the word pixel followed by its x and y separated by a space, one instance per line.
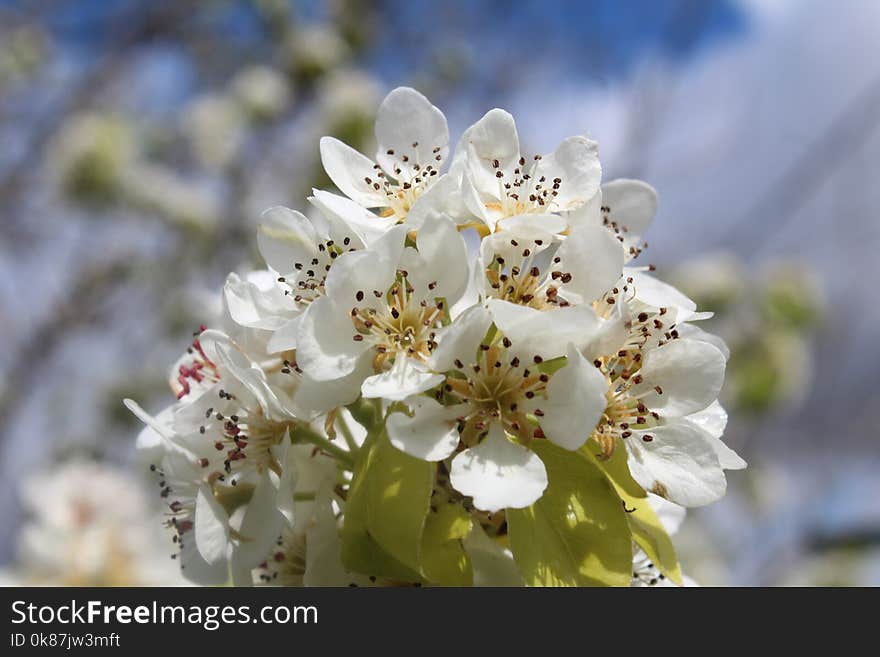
pixel 413 142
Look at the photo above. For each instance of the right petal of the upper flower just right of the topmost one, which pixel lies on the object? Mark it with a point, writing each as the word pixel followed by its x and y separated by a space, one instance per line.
pixel 576 163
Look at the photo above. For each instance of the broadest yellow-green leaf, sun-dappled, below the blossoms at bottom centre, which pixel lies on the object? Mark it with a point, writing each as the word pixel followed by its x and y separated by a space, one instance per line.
pixel 577 534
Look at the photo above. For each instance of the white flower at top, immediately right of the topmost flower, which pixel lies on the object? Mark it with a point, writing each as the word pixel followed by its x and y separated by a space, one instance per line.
pixel 500 182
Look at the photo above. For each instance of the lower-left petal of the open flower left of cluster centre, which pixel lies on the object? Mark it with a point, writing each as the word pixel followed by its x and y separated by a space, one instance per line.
pixel 327 349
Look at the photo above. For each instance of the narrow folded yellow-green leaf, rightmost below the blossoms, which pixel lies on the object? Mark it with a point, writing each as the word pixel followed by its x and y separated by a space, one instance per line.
pixel 647 530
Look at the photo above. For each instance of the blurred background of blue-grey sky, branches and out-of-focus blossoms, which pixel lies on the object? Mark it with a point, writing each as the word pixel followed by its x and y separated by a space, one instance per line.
pixel 140 140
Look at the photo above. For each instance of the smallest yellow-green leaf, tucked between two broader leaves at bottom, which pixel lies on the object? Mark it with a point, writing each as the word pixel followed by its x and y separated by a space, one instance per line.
pixel 444 560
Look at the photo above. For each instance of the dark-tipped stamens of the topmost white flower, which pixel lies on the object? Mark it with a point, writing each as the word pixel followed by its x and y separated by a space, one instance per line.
pixel 411 179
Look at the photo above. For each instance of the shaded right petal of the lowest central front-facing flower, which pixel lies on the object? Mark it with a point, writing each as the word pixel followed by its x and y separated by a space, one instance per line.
pixel 575 401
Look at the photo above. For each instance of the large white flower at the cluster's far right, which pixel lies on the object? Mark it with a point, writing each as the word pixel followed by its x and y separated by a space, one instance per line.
pixel 657 379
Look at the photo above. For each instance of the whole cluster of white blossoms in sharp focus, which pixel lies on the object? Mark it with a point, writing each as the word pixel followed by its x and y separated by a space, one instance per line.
pixel 375 320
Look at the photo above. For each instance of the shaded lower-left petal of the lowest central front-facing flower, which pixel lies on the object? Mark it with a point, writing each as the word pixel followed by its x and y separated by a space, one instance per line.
pixel 430 434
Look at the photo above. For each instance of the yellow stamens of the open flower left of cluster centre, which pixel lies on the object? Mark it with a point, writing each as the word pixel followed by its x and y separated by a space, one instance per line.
pixel 405 324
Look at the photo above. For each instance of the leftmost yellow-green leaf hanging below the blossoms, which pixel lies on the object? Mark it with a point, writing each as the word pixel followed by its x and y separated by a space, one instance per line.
pixel 385 511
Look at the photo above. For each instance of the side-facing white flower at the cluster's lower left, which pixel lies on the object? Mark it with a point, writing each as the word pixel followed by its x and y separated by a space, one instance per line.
pixel 222 459
